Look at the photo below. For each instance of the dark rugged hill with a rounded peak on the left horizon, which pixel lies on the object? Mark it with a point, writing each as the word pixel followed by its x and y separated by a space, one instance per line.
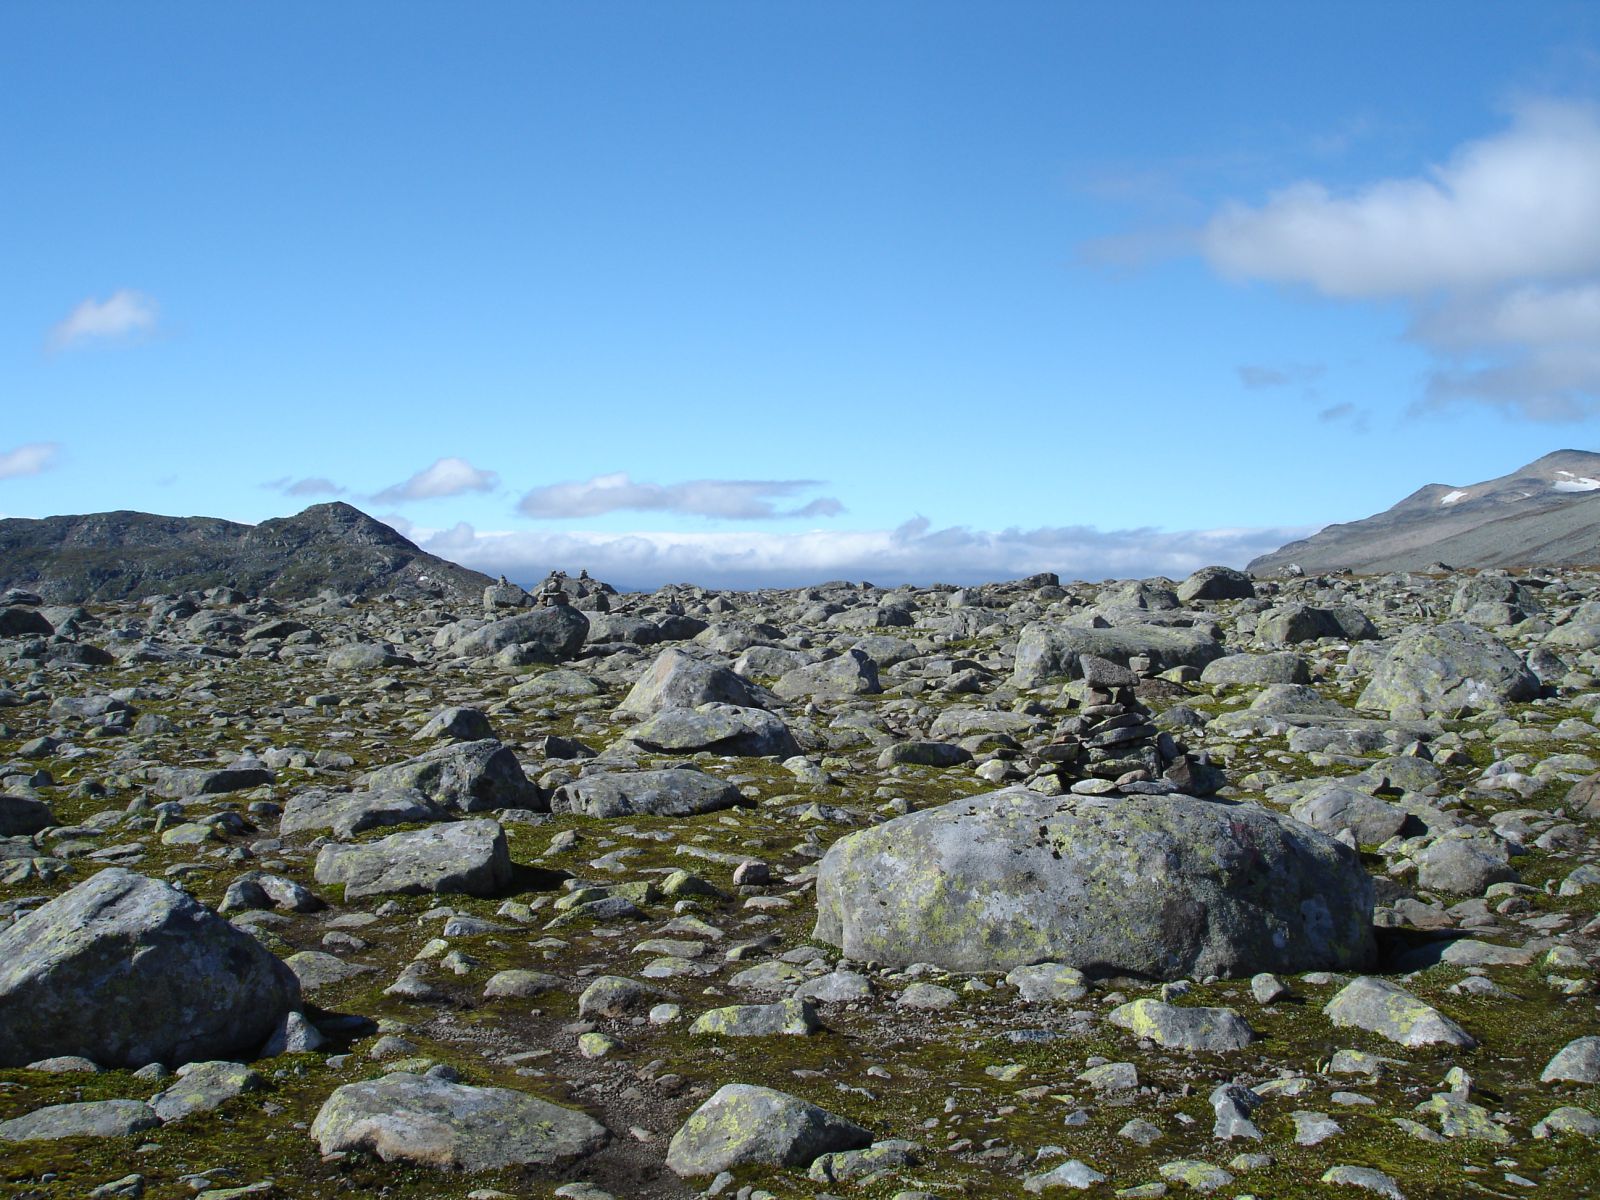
pixel 116 556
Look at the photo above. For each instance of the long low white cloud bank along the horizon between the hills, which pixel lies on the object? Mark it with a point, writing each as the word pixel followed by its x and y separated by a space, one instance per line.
pixel 914 553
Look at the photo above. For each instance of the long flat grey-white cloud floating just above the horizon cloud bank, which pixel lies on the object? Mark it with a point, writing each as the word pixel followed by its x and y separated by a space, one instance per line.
pixel 746 500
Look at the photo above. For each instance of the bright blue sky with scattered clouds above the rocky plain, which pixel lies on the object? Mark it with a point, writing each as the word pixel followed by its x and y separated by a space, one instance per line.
pixel 788 292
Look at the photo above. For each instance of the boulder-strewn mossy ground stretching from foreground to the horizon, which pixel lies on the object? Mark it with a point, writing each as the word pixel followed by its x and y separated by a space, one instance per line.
pixel 1279 889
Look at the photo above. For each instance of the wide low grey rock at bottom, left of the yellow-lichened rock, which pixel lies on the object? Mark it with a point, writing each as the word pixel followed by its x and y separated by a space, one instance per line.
pixel 431 1122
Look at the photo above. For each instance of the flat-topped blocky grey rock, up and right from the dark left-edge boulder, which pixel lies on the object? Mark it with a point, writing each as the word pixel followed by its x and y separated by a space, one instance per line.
pixel 468 858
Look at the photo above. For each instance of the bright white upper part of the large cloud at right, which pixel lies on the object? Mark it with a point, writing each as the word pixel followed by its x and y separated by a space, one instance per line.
pixel 1519 206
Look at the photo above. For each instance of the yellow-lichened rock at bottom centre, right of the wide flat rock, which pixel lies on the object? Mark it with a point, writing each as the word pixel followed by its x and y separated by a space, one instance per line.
pixel 743 1126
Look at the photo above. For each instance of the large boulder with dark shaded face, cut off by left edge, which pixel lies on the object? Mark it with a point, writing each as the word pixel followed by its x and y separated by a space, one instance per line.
pixel 127 970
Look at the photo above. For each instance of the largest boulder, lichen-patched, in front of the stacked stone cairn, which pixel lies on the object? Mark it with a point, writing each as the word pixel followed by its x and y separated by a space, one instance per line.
pixel 1153 886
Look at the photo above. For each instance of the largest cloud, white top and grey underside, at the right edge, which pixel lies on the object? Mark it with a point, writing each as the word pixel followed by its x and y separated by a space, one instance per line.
pixel 1497 254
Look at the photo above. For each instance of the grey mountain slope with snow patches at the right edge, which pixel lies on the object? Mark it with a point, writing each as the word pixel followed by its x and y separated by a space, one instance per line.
pixel 1546 514
